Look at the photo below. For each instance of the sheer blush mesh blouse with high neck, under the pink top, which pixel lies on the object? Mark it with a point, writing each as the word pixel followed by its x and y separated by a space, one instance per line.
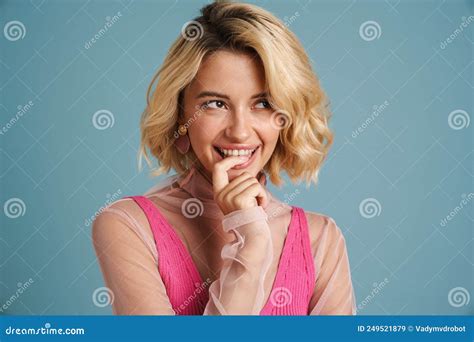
pixel 128 256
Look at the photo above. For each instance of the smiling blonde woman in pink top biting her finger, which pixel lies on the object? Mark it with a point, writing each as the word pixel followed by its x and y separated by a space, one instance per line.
pixel 236 98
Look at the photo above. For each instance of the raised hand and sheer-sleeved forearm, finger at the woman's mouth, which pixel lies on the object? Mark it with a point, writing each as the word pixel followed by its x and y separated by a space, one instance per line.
pixel 246 260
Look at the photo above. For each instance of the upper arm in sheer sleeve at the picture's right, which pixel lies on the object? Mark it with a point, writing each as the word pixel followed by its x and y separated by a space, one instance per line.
pixel 333 293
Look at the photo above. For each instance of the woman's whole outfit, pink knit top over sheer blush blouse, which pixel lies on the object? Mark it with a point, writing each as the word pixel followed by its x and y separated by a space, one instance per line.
pixel 172 251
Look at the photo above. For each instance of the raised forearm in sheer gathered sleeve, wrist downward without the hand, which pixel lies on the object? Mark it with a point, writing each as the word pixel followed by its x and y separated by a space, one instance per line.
pixel 239 289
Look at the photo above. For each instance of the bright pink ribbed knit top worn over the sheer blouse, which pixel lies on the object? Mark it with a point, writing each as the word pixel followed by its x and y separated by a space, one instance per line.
pixel 291 291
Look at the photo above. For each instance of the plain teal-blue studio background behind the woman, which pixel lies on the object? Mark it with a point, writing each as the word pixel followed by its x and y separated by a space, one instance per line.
pixel 409 160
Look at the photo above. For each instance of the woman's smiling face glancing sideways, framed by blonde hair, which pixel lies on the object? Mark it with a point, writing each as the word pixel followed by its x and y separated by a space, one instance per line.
pixel 227 112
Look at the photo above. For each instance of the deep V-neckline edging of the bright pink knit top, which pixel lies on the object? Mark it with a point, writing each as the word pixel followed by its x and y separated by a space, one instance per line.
pixel 279 272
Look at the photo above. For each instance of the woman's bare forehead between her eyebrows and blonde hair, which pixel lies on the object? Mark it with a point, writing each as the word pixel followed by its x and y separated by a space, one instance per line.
pixel 230 72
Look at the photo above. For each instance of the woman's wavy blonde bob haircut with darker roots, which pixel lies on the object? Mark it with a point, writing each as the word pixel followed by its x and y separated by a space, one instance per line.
pixel 292 86
